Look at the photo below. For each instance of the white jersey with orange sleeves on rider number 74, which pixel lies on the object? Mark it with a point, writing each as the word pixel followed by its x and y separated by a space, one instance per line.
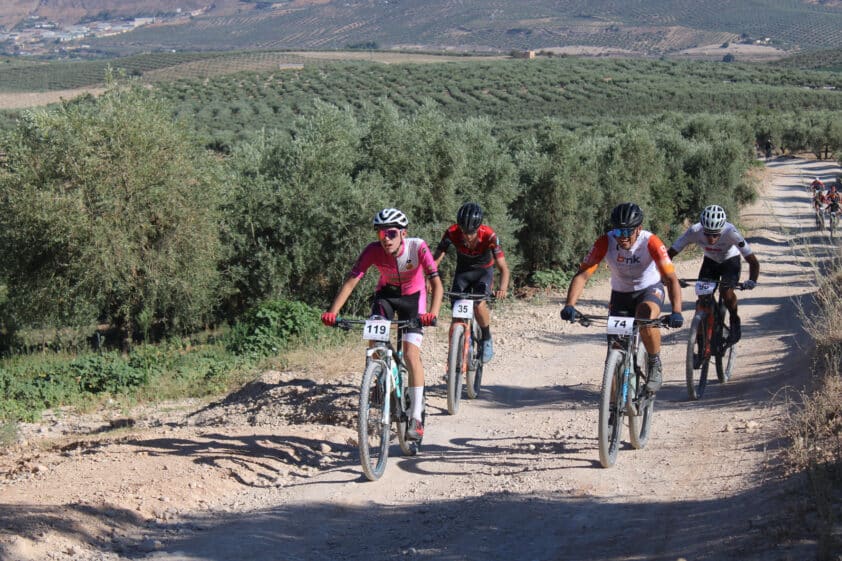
pixel 636 268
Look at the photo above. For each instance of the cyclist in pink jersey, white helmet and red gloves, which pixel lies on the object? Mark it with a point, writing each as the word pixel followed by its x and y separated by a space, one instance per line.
pixel 404 264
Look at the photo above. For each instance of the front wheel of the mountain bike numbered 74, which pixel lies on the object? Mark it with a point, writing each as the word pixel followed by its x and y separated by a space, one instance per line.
pixel 611 409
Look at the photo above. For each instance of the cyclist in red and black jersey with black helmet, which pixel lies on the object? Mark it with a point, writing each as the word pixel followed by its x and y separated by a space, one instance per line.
pixel 478 251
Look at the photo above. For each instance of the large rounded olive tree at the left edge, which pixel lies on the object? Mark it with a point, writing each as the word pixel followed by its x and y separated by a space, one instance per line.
pixel 109 214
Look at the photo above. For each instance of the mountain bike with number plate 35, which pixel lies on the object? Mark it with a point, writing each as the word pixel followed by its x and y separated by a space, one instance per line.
pixel 464 354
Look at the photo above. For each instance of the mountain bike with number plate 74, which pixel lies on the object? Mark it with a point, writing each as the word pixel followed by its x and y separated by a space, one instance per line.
pixel 624 378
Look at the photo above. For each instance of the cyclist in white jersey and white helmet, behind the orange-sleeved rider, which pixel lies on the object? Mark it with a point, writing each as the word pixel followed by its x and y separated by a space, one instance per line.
pixel 722 244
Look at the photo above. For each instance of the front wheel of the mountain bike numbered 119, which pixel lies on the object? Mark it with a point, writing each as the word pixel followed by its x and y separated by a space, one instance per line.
pixel 372 424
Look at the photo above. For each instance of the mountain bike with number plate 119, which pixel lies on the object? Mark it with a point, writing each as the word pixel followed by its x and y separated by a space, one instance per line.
pixel 384 394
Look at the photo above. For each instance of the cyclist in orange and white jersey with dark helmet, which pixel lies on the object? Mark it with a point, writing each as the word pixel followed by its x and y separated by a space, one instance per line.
pixel 640 267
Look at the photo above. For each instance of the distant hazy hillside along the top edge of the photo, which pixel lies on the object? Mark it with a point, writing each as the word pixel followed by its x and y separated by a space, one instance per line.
pixel 639 28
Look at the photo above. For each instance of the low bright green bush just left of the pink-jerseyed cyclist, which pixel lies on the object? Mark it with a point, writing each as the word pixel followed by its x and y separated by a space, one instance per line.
pixel 271 326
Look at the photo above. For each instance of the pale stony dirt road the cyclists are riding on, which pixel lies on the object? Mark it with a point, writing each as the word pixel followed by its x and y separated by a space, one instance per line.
pixel 271 473
